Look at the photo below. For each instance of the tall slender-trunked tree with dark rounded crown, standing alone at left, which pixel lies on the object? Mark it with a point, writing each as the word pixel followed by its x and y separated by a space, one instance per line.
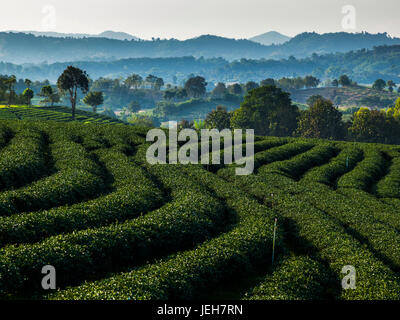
pixel 72 80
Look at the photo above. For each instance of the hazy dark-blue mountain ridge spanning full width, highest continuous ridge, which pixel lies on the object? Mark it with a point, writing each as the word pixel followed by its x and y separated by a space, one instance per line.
pixel 27 48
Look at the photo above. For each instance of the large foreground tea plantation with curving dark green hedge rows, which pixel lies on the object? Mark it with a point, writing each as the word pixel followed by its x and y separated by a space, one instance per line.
pixel 83 199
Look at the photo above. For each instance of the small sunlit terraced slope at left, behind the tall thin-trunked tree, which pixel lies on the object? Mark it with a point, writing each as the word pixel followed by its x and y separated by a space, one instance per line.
pixel 59 114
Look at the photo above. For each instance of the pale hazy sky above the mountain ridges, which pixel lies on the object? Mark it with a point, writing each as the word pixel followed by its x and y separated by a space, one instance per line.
pixel 183 19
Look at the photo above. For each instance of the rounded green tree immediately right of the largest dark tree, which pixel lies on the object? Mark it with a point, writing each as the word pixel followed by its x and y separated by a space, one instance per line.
pixel 322 120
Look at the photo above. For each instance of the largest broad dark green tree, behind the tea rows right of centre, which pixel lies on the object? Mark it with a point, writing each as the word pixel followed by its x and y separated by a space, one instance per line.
pixel 268 110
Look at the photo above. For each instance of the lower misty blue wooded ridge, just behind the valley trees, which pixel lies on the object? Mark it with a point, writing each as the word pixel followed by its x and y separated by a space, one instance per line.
pixel 363 66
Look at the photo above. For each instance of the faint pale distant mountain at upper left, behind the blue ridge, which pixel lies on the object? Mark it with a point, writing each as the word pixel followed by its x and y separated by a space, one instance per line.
pixel 106 34
